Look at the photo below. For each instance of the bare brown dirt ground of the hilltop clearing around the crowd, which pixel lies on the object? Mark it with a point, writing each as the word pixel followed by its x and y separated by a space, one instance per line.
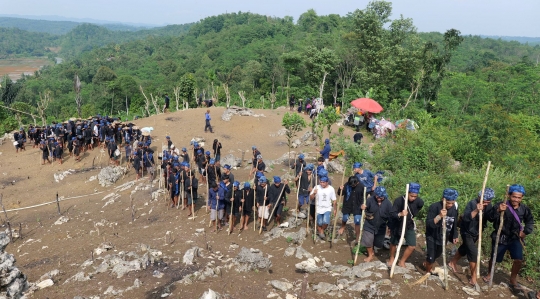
pixel 45 246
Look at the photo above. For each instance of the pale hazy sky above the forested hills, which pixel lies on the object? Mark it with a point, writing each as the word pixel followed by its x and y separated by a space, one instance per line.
pixel 488 17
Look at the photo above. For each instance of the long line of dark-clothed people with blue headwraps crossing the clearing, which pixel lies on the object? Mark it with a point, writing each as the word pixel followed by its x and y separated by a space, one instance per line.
pixel 261 200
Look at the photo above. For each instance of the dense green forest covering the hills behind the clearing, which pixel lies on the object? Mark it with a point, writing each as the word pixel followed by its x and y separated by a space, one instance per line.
pixel 475 99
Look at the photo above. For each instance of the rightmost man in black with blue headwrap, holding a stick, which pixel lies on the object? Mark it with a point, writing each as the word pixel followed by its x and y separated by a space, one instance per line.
pixel 513 233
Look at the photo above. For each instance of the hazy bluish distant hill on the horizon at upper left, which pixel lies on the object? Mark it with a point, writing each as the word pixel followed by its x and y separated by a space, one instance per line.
pixel 56 27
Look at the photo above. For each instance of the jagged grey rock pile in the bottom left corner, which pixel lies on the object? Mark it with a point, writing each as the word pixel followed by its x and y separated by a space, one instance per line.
pixel 13 282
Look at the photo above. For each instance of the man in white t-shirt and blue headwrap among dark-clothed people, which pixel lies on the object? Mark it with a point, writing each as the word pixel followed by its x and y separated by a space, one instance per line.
pixel 324 196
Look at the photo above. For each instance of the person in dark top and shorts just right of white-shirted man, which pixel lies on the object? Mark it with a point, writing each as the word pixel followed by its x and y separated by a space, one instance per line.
pixel 352 201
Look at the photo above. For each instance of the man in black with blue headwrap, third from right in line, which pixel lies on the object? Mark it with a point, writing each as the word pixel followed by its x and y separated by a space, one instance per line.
pixel 434 228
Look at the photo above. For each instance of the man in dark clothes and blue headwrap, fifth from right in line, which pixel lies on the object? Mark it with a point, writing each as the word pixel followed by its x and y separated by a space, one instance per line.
pixel 377 212
